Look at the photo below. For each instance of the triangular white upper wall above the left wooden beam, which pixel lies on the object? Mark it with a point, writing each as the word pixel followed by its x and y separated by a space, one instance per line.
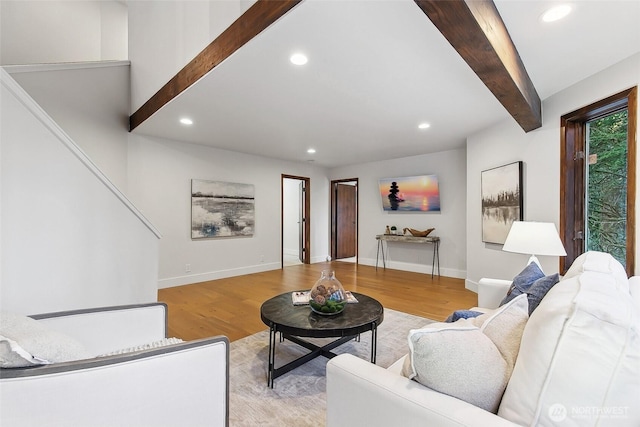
pixel 164 36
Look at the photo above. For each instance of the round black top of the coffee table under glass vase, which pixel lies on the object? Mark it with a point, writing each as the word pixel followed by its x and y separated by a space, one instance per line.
pixel 299 320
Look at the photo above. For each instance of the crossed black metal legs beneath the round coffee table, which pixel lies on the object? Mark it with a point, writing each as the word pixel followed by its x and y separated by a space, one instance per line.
pixel 315 351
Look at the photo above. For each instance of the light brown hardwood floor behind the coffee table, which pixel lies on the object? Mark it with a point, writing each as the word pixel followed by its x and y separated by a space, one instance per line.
pixel 231 306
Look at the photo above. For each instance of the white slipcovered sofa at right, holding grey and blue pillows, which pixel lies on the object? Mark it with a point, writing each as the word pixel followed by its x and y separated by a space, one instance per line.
pixel 578 365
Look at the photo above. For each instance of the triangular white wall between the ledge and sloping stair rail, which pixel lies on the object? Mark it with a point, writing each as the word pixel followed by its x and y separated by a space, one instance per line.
pixel 91 103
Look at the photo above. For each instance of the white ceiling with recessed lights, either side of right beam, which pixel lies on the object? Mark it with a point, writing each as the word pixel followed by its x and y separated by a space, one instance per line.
pixel 376 70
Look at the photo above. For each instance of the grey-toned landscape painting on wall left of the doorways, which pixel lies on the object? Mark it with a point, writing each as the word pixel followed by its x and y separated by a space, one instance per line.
pixel 221 209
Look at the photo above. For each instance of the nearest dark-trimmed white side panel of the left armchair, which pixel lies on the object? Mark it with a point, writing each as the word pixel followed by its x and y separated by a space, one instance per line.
pixel 181 384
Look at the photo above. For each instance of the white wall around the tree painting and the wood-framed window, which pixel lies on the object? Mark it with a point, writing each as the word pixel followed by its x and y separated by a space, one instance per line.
pixel 540 151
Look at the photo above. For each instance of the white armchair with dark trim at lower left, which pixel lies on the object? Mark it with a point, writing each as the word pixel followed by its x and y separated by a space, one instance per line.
pixel 176 384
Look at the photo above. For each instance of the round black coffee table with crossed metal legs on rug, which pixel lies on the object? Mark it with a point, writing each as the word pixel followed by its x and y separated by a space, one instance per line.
pixel 295 321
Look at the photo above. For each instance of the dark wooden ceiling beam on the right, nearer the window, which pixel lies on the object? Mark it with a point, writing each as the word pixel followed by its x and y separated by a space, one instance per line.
pixel 476 31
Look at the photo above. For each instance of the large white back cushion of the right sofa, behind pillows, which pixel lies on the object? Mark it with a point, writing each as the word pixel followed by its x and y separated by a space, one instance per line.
pixel 579 359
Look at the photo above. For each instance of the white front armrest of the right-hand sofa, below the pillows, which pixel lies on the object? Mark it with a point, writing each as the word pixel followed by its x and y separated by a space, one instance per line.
pixel 363 394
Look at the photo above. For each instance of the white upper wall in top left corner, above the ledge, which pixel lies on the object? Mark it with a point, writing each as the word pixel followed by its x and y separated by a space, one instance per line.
pixel 38 32
